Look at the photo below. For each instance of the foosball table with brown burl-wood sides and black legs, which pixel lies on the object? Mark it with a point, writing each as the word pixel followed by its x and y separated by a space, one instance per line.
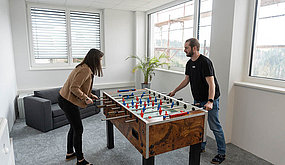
pixel 154 123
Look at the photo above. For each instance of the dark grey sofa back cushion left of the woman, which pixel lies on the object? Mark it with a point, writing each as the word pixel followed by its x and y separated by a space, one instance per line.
pixel 50 94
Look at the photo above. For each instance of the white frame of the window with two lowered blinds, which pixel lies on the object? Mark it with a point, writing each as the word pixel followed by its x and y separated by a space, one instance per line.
pixel 69 64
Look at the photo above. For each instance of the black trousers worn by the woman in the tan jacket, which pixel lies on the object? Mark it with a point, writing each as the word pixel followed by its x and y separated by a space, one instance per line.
pixel 74 137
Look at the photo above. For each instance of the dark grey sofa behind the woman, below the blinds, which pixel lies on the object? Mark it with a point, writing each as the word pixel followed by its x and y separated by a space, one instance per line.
pixel 43 113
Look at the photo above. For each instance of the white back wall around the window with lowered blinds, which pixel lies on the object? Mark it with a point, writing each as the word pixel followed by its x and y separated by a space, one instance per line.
pixel 119 34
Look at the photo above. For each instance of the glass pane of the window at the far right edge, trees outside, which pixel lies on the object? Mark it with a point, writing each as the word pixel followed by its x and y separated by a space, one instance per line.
pixel 268 48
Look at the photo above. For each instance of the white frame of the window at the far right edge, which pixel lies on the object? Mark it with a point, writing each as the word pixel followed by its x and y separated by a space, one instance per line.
pixel 254 13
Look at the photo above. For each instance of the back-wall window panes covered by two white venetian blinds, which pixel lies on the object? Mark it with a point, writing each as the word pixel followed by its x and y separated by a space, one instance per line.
pixel 62 37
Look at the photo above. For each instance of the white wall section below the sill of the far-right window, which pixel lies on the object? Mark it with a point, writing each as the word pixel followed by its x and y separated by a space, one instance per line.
pixel 258 124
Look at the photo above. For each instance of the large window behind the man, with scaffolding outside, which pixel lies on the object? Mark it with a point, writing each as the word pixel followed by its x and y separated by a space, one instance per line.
pixel 171 27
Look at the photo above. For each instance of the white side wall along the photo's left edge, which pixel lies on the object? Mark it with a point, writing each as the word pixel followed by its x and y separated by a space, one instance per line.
pixel 8 87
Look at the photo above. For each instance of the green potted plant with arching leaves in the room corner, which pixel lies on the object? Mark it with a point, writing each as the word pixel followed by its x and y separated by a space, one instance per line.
pixel 147 65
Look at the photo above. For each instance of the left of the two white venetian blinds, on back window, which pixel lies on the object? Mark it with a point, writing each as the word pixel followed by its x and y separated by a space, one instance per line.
pixel 49 33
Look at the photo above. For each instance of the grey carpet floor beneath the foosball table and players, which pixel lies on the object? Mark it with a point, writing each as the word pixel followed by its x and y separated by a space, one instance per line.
pixel 34 147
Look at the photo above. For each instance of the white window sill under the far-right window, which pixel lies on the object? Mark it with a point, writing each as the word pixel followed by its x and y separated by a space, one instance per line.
pixel 261 87
